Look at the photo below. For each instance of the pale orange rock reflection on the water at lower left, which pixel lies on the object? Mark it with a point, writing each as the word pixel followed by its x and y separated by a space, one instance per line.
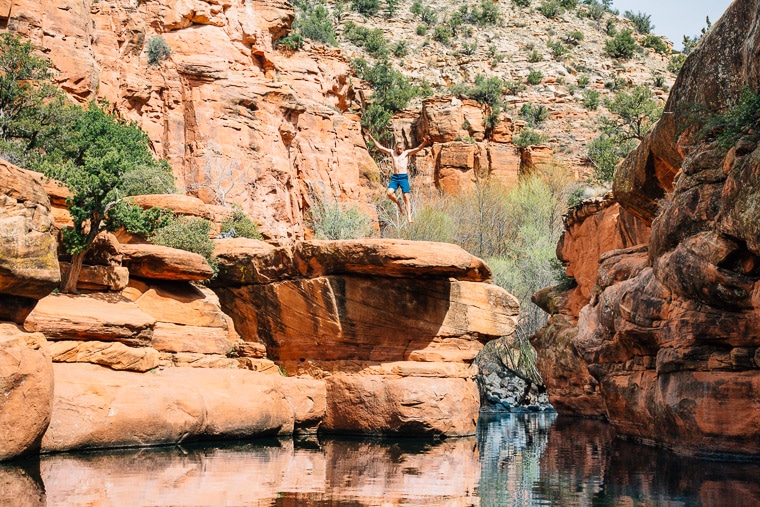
pixel 331 472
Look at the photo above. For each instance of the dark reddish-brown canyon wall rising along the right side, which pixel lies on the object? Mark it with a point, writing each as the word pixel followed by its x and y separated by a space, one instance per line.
pixel 664 342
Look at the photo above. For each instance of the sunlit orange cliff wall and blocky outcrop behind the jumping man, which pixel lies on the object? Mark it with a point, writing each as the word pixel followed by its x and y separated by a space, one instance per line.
pixel 242 121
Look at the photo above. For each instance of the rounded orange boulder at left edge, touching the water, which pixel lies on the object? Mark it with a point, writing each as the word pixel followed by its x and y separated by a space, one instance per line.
pixel 26 384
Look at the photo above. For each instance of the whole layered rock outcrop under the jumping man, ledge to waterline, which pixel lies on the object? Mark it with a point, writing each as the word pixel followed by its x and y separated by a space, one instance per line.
pixel 391 326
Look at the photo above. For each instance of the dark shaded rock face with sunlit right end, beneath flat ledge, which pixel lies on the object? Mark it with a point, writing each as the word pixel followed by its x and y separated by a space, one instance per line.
pixel 347 317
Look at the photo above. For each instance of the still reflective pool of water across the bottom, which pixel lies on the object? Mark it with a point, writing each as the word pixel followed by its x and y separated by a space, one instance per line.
pixel 518 459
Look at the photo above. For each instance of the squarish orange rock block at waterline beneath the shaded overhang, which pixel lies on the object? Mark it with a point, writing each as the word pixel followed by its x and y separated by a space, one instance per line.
pixel 374 404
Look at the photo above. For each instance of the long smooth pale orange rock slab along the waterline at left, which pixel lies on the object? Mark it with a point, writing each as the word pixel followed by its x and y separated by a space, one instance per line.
pixel 95 407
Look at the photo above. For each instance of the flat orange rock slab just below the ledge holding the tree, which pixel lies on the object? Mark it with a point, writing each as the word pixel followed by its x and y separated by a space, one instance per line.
pixel 91 317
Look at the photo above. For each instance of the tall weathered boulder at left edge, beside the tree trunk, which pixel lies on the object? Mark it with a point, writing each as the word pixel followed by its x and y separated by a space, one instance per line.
pixel 28 257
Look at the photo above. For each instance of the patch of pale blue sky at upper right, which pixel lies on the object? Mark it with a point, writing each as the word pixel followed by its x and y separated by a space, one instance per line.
pixel 676 18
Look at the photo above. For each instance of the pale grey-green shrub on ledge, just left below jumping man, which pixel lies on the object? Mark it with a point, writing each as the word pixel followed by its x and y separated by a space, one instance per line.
pixel 332 220
